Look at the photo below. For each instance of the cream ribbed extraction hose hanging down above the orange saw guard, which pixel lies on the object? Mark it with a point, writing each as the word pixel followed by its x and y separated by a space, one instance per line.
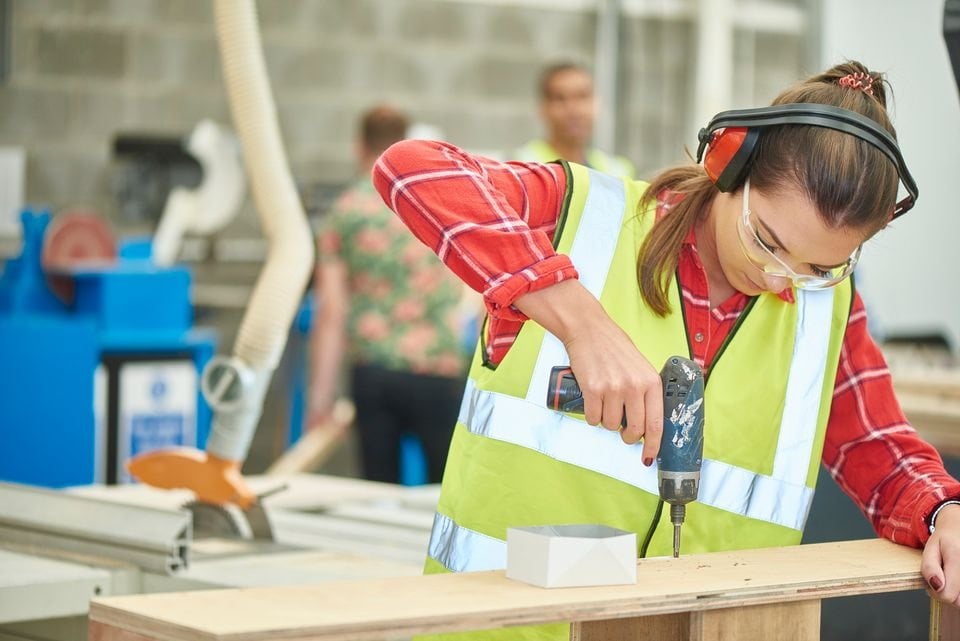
pixel 283 279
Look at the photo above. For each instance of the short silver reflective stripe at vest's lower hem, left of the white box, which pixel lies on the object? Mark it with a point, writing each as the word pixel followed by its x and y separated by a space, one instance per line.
pixel 461 549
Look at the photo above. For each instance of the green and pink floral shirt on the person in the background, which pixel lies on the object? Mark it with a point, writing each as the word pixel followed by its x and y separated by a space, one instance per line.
pixel 404 311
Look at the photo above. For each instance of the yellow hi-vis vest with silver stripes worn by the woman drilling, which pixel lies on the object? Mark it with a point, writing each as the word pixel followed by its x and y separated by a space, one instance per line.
pixel 514 462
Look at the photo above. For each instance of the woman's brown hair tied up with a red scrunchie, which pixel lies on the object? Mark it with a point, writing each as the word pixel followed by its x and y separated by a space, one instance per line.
pixel 851 183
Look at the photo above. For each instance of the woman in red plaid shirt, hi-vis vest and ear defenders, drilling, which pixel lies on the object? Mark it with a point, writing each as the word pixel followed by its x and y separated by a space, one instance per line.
pixel 744 265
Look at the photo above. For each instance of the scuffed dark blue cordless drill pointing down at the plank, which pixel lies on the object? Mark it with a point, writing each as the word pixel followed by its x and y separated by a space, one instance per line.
pixel 681 446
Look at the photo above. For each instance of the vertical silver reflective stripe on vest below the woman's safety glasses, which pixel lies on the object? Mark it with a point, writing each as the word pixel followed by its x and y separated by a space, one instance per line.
pixel 798 427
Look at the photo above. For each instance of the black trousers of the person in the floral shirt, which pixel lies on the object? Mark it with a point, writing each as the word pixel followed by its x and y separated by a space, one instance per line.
pixel 391 403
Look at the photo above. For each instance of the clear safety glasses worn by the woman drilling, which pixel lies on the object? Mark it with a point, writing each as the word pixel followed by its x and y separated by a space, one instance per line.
pixel 762 255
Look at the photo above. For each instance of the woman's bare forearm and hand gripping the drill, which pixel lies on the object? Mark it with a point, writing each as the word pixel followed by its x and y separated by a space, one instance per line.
pixel 612 374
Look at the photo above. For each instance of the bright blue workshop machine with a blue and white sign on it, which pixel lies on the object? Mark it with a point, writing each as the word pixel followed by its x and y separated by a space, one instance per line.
pixel 85 386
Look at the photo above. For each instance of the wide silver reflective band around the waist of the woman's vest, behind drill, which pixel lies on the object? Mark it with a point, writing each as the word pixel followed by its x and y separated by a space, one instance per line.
pixel 531 425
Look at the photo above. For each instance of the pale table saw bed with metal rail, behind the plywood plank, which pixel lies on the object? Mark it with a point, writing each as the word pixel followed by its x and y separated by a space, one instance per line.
pixel 58 549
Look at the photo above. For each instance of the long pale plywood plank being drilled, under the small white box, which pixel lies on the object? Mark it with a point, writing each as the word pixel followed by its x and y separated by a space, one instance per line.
pixel 399 607
